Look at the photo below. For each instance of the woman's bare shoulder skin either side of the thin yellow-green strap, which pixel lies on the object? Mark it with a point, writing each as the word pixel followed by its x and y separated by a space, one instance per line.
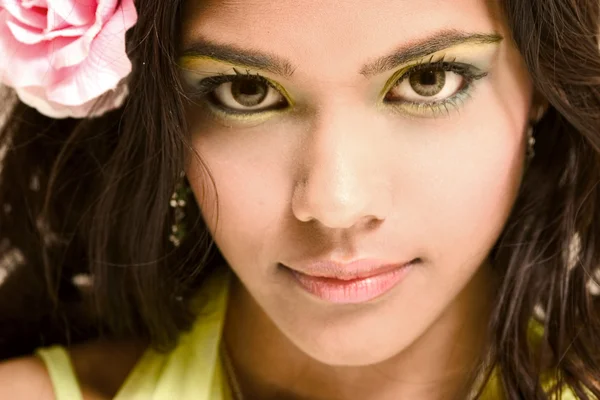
pixel 101 369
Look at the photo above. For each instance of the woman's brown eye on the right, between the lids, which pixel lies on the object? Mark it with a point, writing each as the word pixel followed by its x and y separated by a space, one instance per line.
pixel 426 86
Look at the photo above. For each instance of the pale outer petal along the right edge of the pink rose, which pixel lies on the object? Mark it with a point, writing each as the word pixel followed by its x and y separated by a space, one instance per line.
pixel 106 65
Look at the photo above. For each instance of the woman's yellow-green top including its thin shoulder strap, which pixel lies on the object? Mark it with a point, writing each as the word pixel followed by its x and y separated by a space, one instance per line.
pixel 193 370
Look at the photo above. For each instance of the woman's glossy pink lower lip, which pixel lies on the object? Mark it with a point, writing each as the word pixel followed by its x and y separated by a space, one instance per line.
pixel 351 291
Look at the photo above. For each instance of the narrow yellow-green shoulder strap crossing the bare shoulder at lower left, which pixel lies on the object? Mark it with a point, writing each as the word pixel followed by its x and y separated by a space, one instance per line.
pixel 62 374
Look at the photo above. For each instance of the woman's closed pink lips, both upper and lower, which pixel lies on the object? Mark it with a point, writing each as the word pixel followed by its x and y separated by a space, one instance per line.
pixel 352 283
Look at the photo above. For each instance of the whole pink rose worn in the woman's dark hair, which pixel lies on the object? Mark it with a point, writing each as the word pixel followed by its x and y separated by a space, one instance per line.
pixel 61 56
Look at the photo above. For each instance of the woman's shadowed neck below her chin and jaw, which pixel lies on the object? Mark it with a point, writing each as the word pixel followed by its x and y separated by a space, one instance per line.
pixel 435 366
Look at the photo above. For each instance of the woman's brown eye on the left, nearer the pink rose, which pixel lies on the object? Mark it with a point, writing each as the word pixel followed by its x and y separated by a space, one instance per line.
pixel 248 94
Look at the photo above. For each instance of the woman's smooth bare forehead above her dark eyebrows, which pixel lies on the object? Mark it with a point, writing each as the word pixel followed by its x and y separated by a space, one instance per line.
pixel 333 34
